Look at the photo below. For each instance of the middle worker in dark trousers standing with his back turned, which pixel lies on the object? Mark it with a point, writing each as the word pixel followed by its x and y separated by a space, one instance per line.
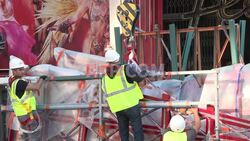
pixel 123 95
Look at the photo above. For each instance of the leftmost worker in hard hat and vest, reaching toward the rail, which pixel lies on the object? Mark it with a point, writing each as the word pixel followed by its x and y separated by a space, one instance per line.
pixel 23 101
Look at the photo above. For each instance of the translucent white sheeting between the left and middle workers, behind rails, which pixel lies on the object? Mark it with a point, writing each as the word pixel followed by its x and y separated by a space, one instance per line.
pixel 65 92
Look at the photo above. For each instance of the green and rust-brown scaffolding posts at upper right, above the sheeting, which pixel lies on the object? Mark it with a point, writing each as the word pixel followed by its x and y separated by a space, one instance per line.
pixel 179 50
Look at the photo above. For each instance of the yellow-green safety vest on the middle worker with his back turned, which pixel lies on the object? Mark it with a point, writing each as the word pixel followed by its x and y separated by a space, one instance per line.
pixel 121 94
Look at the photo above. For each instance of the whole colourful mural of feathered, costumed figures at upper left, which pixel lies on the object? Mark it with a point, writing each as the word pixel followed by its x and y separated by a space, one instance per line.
pixel 31 29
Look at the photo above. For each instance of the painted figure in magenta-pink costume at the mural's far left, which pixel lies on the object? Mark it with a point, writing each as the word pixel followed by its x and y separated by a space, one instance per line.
pixel 14 37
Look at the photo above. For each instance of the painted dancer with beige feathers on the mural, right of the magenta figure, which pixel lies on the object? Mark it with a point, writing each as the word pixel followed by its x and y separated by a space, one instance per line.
pixel 79 25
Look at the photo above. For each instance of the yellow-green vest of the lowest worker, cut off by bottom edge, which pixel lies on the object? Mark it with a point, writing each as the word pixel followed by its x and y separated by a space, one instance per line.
pixel 175 136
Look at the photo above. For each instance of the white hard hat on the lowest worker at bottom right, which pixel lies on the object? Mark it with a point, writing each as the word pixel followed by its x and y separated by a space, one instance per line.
pixel 177 123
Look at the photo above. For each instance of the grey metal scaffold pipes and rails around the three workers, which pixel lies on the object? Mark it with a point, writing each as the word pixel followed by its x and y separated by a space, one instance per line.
pixel 144 104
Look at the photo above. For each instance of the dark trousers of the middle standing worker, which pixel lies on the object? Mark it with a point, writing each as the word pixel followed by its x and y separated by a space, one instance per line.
pixel 132 115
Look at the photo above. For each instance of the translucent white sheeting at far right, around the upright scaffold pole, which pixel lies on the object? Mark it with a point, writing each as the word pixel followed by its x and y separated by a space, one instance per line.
pixel 232 82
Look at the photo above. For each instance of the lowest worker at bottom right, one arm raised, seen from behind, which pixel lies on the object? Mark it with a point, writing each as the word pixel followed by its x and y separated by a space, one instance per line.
pixel 177 131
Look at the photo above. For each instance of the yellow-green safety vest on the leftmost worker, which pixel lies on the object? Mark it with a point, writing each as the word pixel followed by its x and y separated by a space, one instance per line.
pixel 24 105
